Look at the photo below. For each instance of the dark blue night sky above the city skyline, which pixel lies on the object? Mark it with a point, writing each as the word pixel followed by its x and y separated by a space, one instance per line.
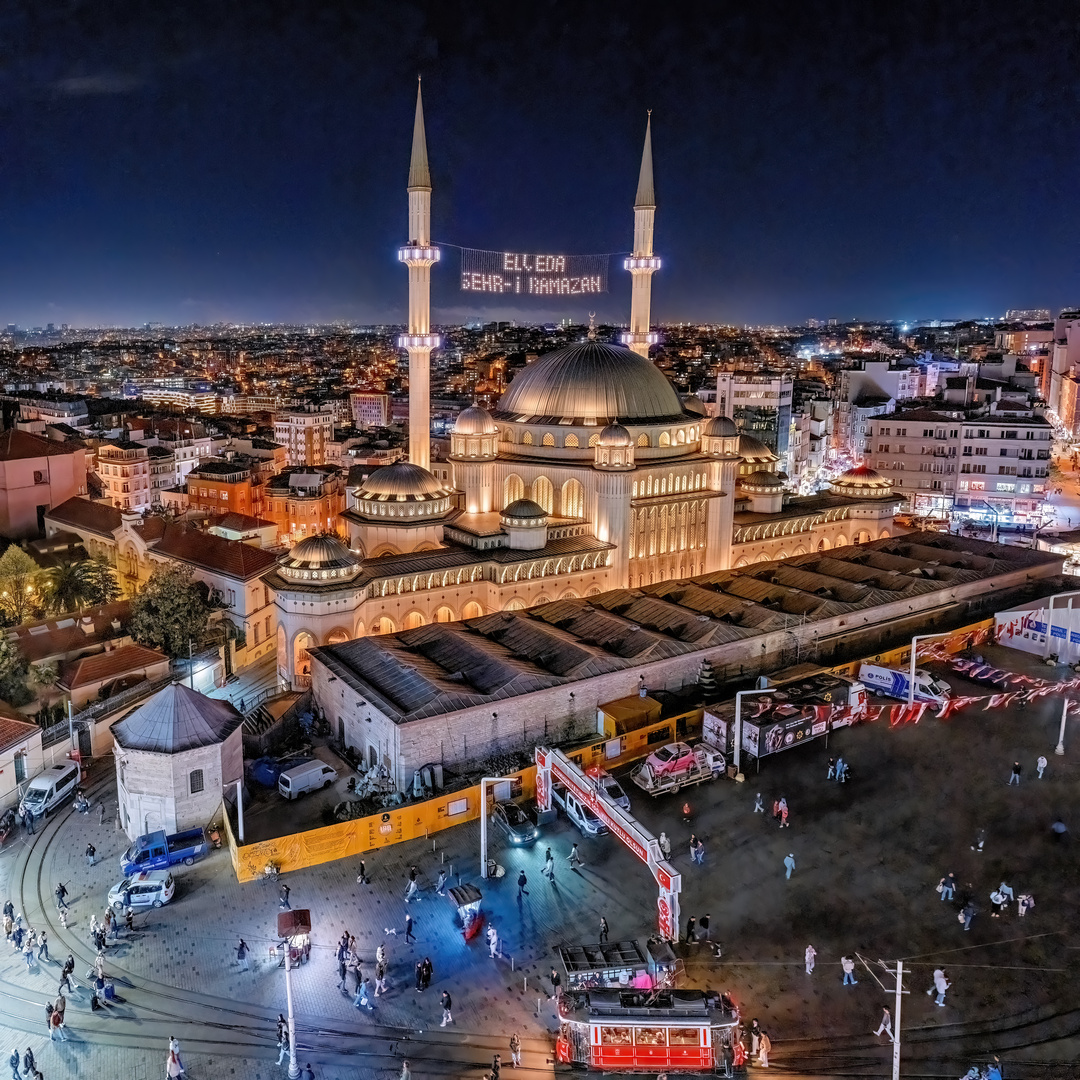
pixel 247 161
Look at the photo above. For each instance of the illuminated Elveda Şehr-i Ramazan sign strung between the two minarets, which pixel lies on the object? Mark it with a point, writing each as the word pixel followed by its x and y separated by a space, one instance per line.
pixel 525 274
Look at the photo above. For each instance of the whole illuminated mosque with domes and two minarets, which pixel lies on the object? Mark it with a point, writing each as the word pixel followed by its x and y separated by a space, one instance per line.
pixel 591 475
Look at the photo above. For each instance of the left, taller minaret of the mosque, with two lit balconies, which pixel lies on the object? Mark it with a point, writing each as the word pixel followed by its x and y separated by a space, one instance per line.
pixel 420 255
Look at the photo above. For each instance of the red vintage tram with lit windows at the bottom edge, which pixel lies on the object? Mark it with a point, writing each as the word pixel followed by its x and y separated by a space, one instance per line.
pixel 651 1032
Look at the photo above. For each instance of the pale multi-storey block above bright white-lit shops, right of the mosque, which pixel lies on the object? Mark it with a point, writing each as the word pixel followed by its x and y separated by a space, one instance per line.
pixel 983 464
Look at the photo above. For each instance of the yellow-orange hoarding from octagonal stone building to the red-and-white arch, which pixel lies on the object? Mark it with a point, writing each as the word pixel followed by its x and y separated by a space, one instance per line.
pixel 352 839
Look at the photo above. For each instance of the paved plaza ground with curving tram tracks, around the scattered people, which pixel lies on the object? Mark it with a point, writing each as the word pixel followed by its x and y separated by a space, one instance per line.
pixel 868 856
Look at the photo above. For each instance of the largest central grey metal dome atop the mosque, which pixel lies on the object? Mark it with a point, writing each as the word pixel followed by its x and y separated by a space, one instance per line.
pixel 591 384
